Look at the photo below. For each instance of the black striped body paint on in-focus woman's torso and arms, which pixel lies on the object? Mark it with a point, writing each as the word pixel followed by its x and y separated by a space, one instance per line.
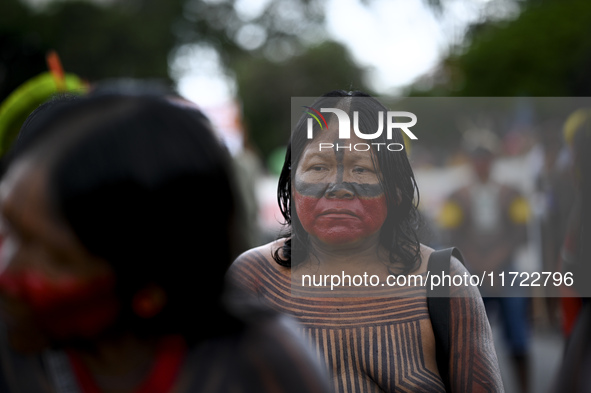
pixel 377 344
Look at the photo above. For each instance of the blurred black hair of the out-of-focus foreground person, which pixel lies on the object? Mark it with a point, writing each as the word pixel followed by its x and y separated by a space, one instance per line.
pixel 146 185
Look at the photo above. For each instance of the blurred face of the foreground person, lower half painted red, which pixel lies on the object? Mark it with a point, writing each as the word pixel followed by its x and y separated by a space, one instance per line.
pixel 51 288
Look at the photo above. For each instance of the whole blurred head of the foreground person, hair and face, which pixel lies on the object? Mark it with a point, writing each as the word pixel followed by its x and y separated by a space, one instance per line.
pixel 106 222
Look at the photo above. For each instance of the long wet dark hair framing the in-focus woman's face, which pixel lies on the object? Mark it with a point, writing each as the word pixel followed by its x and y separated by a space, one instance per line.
pixel 399 232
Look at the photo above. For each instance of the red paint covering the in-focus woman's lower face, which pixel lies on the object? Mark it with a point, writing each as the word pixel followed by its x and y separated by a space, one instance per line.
pixel 341 221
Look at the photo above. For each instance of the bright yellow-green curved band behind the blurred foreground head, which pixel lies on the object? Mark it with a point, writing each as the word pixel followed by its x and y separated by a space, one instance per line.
pixel 28 96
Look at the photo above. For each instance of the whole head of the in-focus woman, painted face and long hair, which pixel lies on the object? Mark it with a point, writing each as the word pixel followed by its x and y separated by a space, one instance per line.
pixel 382 181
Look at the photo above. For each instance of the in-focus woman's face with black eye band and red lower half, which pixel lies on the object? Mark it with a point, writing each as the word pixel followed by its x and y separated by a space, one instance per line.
pixel 338 197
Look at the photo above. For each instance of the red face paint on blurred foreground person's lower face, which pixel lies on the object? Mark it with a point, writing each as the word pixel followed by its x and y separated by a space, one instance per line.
pixel 64 308
